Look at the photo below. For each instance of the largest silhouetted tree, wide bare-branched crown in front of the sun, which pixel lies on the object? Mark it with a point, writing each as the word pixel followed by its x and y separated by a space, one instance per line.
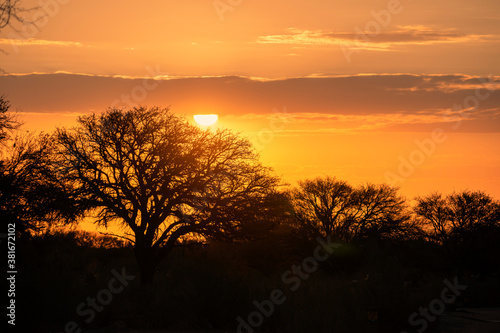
pixel 164 179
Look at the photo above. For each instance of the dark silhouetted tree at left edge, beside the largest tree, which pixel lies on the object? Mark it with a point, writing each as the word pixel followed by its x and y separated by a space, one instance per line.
pixel 30 193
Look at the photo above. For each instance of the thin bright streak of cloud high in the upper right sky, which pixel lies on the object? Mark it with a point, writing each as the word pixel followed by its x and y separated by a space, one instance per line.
pixel 384 41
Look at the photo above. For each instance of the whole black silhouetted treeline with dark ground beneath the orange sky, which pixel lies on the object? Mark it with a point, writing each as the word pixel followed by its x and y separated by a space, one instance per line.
pixel 203 221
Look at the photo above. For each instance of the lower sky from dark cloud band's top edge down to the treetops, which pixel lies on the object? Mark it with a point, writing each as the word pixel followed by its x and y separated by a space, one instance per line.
pixel 365 140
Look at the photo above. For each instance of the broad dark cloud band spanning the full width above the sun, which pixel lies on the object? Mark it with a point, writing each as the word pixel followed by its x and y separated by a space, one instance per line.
pixel 322 104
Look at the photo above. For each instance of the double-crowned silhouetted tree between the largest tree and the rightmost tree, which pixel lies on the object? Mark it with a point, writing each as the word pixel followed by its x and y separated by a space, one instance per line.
pixel 336 208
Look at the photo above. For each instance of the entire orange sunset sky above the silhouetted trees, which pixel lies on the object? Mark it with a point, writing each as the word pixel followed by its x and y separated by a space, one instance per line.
pixel 399 92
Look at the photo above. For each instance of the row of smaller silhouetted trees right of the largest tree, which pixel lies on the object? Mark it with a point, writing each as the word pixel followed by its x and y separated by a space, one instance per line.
pixel 465 224
